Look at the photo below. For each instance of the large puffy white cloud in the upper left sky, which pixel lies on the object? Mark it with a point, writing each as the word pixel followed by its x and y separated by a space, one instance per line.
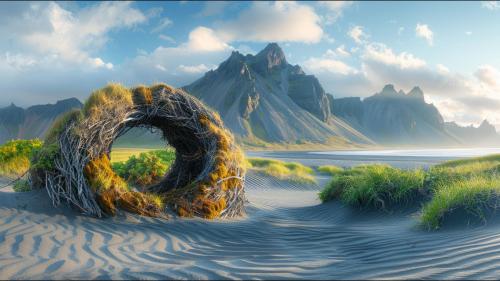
pixel 73 37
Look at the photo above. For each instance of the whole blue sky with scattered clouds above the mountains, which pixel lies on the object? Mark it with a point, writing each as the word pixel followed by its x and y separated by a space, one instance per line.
pixel 54 50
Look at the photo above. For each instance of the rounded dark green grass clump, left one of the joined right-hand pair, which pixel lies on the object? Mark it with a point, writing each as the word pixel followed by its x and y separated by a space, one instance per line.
pixel 378 186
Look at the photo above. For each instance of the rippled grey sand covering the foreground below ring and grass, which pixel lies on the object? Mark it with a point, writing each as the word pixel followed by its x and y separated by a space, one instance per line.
pixel 287 233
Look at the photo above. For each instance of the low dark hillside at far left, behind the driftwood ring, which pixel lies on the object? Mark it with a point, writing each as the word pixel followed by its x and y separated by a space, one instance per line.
pixel 33 122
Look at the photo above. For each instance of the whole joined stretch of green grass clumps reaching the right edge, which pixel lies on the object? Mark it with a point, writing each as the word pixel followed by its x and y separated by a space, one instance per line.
pixel 470 186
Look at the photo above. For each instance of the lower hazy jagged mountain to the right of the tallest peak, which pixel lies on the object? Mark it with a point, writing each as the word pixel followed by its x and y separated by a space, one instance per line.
pixel 395 118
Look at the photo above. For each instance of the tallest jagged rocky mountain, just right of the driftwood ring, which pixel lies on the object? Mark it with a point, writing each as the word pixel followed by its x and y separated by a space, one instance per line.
pixel 263 97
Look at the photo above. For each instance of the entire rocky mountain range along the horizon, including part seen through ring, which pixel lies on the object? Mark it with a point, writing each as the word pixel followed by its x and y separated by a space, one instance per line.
pixel 264 99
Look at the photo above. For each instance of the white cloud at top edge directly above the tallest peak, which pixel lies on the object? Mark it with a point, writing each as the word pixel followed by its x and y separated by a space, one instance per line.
pixel 273 22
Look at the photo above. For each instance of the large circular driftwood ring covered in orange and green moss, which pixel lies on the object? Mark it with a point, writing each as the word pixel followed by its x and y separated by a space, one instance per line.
pixel 206 179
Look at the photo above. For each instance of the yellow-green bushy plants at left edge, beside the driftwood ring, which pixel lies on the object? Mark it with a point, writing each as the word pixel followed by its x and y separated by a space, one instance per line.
pixel 15 157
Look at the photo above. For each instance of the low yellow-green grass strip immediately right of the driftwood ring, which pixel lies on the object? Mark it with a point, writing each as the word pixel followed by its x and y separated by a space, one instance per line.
pixel 290 171
